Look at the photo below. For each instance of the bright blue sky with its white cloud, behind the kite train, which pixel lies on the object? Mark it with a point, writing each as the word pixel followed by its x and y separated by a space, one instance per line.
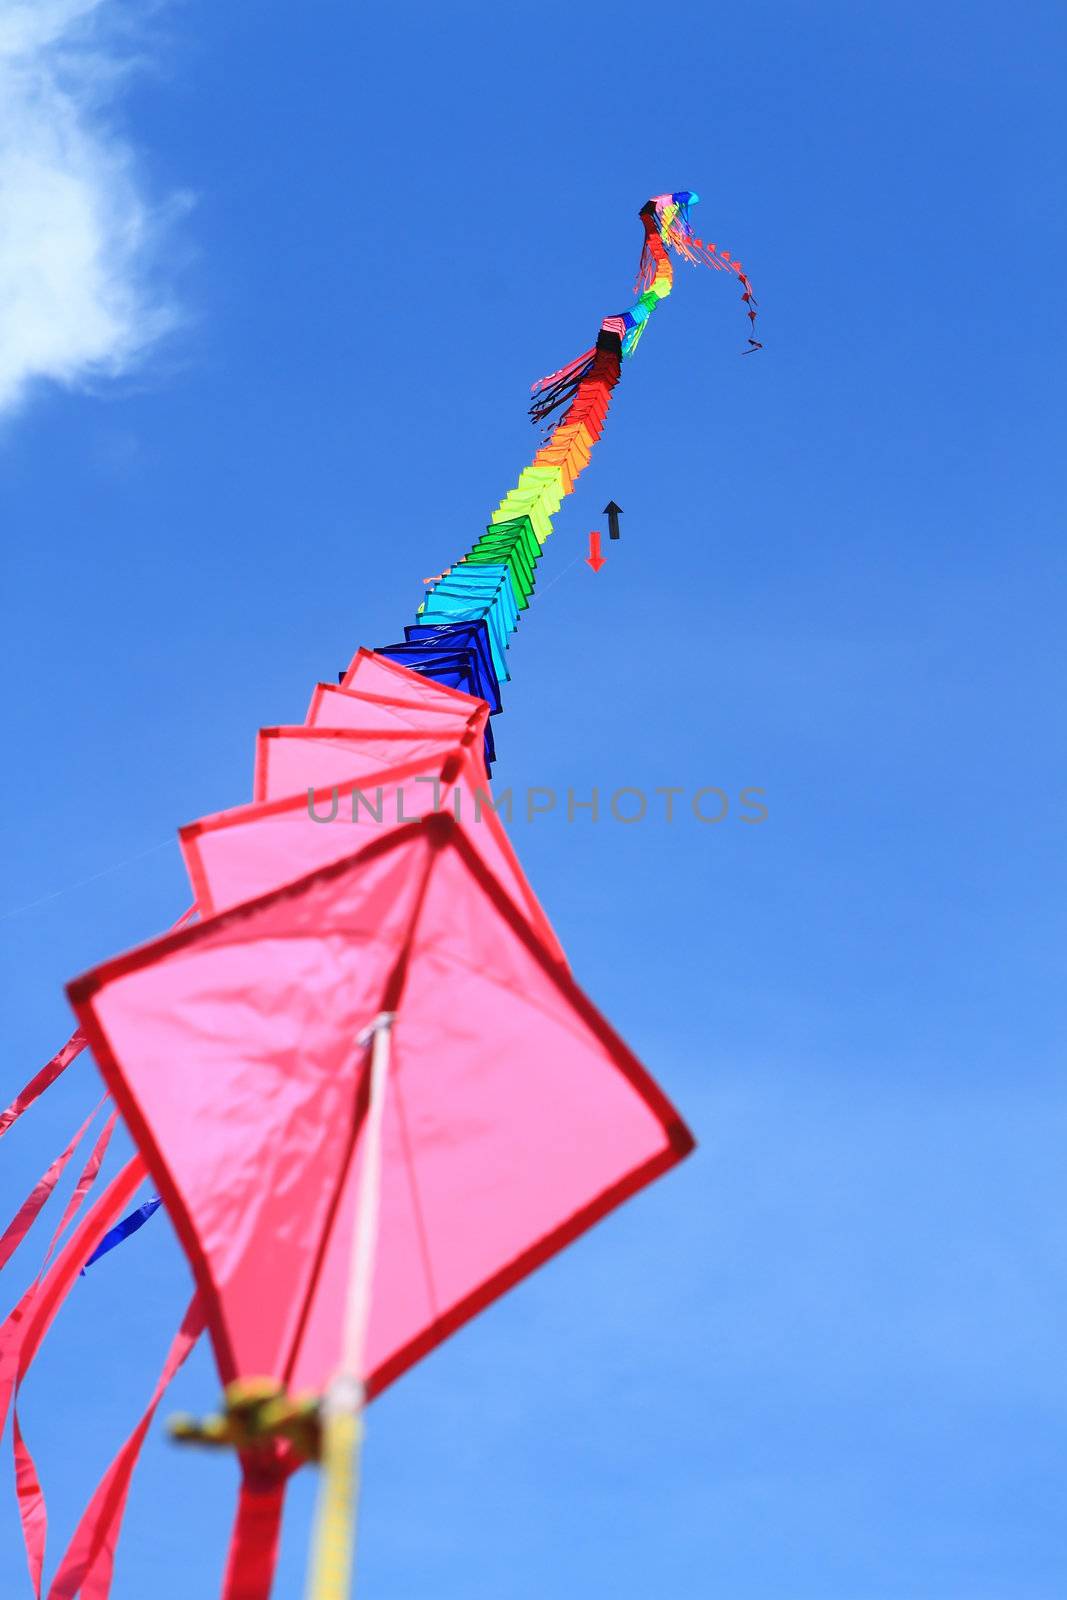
pixel 273 290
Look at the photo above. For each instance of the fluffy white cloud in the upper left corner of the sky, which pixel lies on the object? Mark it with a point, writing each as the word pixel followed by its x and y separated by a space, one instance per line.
pixel 78 298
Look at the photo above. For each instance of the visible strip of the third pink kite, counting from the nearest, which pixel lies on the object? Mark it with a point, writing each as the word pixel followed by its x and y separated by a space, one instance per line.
pixel 294 761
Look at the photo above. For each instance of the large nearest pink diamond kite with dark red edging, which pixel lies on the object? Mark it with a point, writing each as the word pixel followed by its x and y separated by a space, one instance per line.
pixel 516 1118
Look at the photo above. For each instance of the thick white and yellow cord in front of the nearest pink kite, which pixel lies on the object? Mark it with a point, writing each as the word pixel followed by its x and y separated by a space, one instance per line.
pixel 334 1545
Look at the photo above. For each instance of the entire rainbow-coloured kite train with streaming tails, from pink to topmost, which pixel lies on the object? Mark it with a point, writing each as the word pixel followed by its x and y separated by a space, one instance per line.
pixel 359 1073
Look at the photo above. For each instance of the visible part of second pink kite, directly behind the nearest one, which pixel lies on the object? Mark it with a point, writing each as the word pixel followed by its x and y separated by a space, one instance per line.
pixel 238 855
